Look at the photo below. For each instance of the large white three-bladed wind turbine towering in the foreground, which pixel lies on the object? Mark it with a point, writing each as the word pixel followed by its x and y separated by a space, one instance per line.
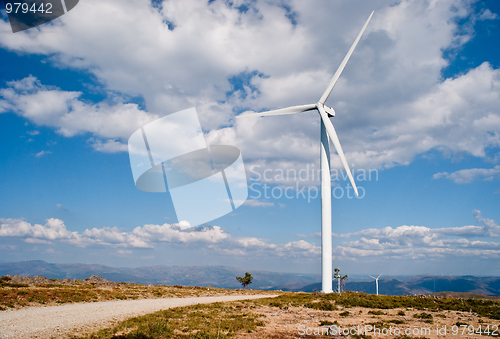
pixel 327 131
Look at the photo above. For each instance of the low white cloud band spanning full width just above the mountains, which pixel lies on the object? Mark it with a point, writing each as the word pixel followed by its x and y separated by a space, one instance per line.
pixel 388 242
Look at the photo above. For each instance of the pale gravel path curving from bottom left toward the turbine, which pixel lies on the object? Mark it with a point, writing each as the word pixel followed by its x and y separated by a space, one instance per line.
pixel 60 321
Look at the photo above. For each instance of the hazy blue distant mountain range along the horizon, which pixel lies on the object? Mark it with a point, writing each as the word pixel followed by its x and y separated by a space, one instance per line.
pixel 224 276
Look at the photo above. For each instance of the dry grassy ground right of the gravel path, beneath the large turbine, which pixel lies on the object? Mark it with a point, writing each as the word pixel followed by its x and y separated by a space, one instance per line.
pixel 280 318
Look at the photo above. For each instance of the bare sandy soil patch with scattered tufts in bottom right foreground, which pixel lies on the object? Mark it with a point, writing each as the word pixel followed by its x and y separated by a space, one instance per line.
pixel 301 322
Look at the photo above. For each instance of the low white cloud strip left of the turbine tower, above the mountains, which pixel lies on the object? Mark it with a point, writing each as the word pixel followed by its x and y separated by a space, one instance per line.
pixel 148 236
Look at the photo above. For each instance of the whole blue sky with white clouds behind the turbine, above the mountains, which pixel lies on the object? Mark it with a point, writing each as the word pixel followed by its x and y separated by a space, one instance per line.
pixel 417 106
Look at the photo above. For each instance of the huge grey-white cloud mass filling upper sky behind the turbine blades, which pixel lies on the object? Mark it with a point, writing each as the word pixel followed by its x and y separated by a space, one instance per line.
pixel 391 101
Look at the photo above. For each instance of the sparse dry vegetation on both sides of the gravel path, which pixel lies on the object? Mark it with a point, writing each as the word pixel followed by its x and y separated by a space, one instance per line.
pixel 237 319
